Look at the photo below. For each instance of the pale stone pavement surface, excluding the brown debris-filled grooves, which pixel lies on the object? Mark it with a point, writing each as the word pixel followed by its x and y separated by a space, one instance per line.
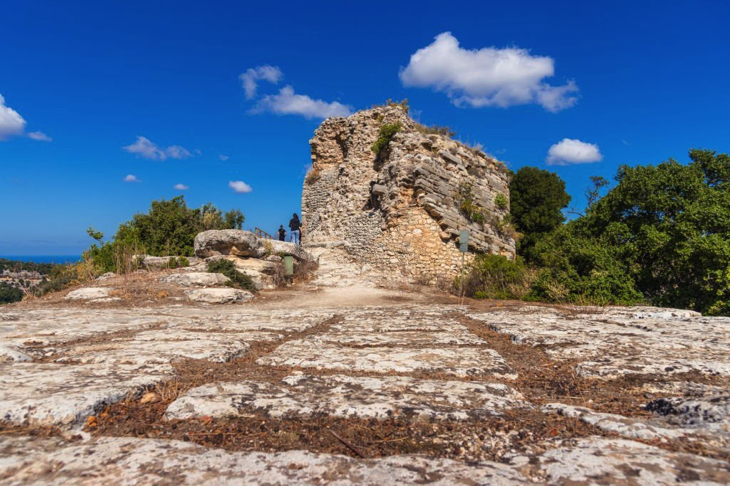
pixel 410 361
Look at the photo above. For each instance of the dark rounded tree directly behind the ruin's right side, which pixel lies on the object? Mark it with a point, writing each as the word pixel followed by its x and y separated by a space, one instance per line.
pixel 536 199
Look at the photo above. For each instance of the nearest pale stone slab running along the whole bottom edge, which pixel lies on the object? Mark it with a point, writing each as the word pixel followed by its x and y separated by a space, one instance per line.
pixel 112 460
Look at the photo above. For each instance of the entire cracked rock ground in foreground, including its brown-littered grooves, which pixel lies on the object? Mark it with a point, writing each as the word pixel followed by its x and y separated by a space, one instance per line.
pixel 301 388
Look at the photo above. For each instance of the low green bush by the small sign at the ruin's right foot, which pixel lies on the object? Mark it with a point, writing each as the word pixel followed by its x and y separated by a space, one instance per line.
pixel 496 277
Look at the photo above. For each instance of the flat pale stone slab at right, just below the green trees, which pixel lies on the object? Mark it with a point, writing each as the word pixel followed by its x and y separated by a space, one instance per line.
pixel 618 341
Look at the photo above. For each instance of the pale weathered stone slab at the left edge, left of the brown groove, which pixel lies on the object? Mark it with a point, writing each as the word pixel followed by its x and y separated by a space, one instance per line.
pixel 63 394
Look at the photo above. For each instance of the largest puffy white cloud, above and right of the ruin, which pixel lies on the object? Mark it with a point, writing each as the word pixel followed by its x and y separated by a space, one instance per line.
pixel 486 77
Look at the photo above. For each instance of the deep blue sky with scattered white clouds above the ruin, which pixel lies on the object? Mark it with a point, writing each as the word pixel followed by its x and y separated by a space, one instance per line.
pixel 625 82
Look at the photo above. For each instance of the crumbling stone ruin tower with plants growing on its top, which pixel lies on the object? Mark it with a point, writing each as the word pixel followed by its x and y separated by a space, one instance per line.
pixel 401 211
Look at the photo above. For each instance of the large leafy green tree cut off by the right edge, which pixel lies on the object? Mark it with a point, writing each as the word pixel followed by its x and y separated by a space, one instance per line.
pixel 672 223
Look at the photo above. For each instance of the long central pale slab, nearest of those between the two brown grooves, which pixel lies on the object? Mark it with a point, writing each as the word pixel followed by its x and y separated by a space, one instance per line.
pixel 346 396
